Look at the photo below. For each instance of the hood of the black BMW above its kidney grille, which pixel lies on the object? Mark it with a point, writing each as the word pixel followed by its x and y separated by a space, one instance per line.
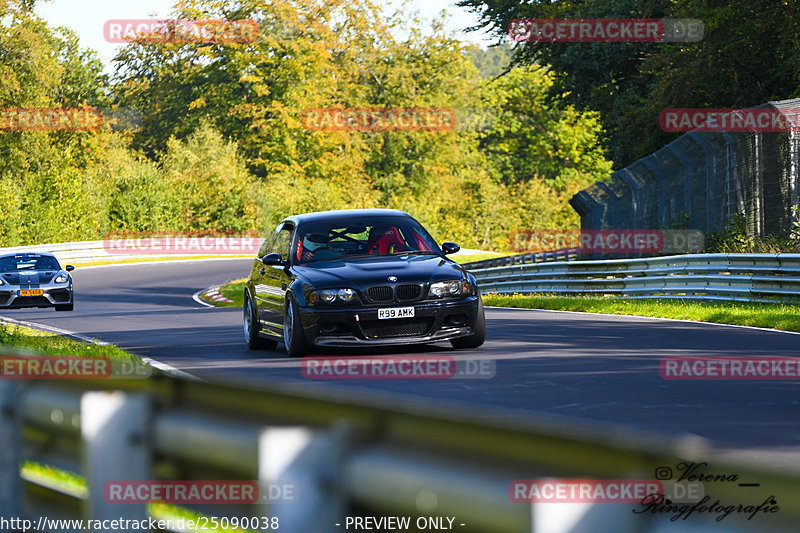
pixel 366 271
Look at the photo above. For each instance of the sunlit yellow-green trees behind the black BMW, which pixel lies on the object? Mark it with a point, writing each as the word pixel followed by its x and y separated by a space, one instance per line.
pixel 223 149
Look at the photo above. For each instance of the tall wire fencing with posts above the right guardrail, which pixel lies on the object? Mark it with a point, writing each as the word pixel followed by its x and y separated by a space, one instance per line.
pixel 705 179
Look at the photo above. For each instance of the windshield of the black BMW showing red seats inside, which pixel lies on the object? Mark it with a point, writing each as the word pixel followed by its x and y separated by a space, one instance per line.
pixel 321 241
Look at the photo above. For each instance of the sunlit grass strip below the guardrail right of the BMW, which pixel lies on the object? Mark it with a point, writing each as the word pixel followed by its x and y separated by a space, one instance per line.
pixel 779 316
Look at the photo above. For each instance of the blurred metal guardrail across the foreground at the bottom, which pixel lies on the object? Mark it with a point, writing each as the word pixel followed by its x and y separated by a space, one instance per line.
pixel 347 457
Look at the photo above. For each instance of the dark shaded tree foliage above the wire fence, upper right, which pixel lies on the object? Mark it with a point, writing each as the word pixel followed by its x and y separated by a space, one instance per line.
pixel 749 45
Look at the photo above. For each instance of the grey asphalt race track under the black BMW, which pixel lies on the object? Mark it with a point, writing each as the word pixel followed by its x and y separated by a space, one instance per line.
pixel 599 368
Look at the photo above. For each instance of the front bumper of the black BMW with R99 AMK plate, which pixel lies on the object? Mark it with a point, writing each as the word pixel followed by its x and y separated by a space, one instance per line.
pixel 433 321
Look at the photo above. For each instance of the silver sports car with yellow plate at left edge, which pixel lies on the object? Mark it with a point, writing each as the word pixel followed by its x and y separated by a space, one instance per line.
pixel 34 280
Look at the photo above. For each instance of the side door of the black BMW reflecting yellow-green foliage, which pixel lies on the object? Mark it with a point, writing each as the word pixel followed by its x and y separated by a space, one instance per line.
pixel 275 280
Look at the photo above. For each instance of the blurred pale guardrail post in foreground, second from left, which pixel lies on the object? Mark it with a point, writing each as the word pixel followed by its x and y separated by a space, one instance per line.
pixel 114 433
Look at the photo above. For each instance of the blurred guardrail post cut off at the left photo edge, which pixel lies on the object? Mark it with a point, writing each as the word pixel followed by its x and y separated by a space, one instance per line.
pixel 10 482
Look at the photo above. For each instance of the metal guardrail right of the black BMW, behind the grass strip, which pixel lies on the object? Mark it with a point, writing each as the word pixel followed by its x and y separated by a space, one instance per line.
pixel 732 277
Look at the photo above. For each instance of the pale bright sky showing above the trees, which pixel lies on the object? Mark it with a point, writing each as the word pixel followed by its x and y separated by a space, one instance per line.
pixel 86 18
